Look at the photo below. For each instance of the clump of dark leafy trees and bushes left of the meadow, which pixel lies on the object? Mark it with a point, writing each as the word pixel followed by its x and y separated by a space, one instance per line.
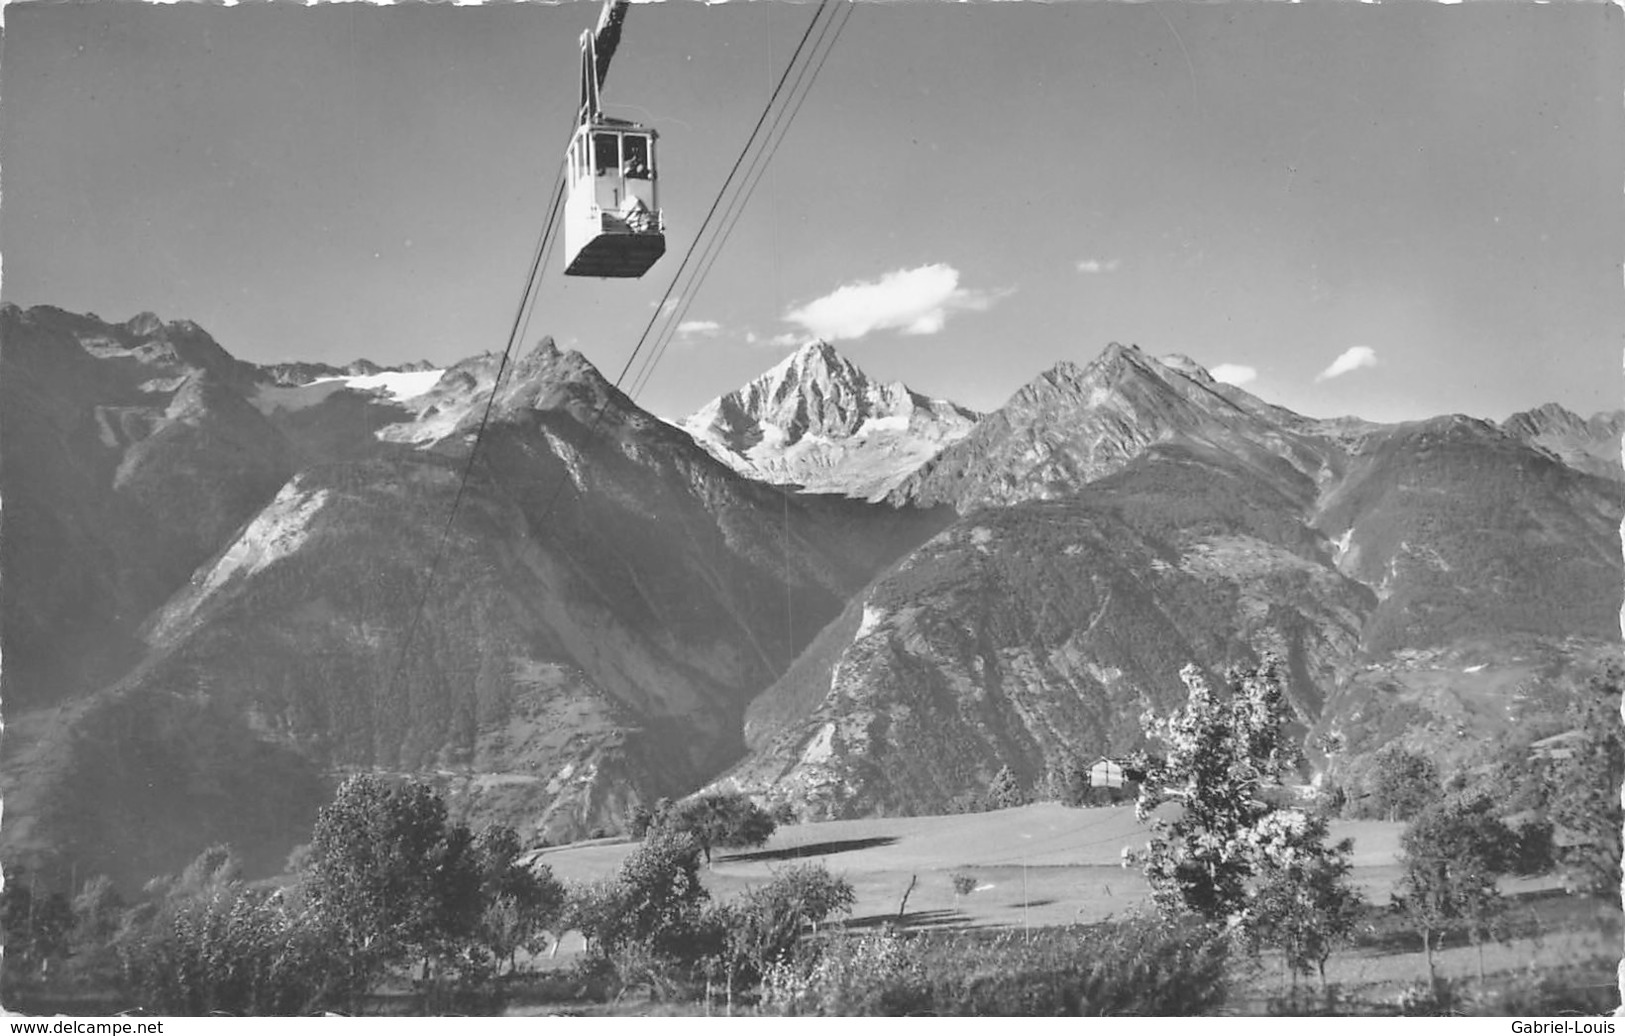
pixel 388 886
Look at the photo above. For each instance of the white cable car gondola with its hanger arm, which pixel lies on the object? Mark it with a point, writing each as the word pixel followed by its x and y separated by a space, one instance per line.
pixel 612 214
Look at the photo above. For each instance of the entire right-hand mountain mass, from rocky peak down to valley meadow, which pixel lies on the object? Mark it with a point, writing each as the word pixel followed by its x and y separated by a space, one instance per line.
pixel 1129 517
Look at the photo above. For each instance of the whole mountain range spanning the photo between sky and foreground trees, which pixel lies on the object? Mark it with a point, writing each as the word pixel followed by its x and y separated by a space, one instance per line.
pixel 230 585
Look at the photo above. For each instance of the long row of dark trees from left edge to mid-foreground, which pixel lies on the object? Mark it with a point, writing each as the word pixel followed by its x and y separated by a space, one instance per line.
pixel 391 892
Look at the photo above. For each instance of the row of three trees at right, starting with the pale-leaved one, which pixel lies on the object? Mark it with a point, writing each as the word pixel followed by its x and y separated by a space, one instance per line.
pixel 1228 850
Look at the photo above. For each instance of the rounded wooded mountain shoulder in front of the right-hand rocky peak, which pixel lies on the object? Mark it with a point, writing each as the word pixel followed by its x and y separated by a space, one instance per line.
pixel 1039 631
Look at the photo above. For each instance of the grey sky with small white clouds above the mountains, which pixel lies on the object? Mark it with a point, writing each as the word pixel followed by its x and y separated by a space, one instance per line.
pixel 1384 210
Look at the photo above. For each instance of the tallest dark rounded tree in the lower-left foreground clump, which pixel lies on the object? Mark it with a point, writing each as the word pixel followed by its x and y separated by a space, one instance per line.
pixel 392 879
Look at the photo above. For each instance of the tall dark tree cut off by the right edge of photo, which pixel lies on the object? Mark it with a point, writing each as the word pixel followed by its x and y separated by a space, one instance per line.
pixel 1585 793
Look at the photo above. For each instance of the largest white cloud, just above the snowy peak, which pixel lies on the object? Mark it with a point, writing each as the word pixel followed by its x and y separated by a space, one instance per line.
pixel 909 301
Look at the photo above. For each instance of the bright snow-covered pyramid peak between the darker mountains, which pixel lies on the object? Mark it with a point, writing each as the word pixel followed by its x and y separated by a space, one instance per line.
pixel 818 423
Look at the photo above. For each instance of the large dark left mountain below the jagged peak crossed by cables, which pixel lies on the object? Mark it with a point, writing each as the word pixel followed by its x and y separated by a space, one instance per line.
pixel 604 608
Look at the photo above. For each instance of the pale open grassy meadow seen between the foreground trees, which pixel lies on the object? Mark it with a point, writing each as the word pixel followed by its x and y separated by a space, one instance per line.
pixel 1047 865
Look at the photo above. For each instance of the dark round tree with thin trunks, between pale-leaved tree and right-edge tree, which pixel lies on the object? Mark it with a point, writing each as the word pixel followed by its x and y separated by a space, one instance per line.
pixel 1452 857
